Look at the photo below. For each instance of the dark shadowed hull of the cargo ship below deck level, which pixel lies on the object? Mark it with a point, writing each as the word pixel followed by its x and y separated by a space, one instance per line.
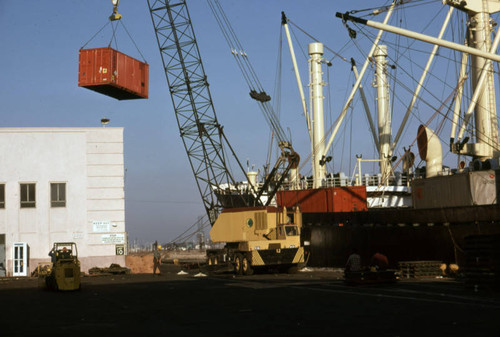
pixel 401 234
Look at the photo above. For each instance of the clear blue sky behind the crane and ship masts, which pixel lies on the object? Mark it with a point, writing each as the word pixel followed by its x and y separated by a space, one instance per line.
pixel 39 66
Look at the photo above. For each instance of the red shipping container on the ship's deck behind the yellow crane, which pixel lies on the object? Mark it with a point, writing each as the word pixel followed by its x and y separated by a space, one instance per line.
pixel 325 200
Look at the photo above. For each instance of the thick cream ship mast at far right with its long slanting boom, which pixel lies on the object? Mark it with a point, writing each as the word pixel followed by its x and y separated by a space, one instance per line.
pixel 486 150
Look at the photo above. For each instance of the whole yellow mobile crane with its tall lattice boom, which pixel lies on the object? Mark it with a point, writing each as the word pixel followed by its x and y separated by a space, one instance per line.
pixel 255 234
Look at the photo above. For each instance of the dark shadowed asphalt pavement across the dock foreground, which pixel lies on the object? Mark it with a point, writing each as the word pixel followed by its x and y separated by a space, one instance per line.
pixel 198 303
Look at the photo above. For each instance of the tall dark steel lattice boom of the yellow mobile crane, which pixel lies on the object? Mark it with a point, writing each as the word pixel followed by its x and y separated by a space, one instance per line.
pixel 201 133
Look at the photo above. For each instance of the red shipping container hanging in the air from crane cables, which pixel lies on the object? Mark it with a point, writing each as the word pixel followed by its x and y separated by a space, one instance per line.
pixel 112 73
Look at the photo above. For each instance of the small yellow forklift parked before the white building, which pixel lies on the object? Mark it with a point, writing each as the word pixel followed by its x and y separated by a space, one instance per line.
pixel 64 272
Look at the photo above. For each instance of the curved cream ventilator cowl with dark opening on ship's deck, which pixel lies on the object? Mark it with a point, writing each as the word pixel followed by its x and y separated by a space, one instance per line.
pixel 429 148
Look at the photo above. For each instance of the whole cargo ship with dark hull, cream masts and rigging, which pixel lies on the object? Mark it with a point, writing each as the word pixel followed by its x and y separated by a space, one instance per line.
pixel 407 212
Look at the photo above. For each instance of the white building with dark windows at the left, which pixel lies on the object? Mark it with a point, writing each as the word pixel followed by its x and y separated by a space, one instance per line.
pixel 61 185
